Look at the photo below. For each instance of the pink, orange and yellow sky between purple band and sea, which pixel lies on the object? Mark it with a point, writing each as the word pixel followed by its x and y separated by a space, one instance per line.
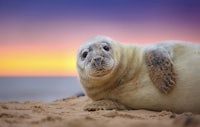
pixel 50 50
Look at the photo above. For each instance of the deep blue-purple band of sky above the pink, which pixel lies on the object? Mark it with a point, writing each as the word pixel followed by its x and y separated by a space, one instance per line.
pixel 109 10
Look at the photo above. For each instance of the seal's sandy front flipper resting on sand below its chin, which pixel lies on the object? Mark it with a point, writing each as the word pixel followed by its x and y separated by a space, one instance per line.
pixel 104 105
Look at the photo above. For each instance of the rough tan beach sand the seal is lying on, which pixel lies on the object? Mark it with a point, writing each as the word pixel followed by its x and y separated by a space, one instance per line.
pixel 69 112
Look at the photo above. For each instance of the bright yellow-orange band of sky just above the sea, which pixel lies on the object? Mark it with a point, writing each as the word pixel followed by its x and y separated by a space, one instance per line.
pixel 56 63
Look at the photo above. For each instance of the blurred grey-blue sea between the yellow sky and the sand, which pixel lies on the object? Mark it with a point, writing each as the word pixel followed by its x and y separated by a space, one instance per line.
pixel 38 88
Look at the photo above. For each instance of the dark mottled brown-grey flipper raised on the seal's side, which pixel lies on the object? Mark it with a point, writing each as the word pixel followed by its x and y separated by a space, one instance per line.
pixel 160 69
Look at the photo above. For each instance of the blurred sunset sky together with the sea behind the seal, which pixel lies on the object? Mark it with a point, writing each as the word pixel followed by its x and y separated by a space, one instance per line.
pixel 39 38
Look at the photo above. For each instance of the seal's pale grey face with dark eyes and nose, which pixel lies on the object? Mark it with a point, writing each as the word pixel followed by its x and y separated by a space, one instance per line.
pixel 94 57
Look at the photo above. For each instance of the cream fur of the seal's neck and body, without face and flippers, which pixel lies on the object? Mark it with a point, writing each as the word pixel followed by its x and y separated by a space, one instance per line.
pixel 129 83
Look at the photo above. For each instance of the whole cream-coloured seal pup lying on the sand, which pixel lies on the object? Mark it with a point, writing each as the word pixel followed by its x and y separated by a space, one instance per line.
pixel 158 76
